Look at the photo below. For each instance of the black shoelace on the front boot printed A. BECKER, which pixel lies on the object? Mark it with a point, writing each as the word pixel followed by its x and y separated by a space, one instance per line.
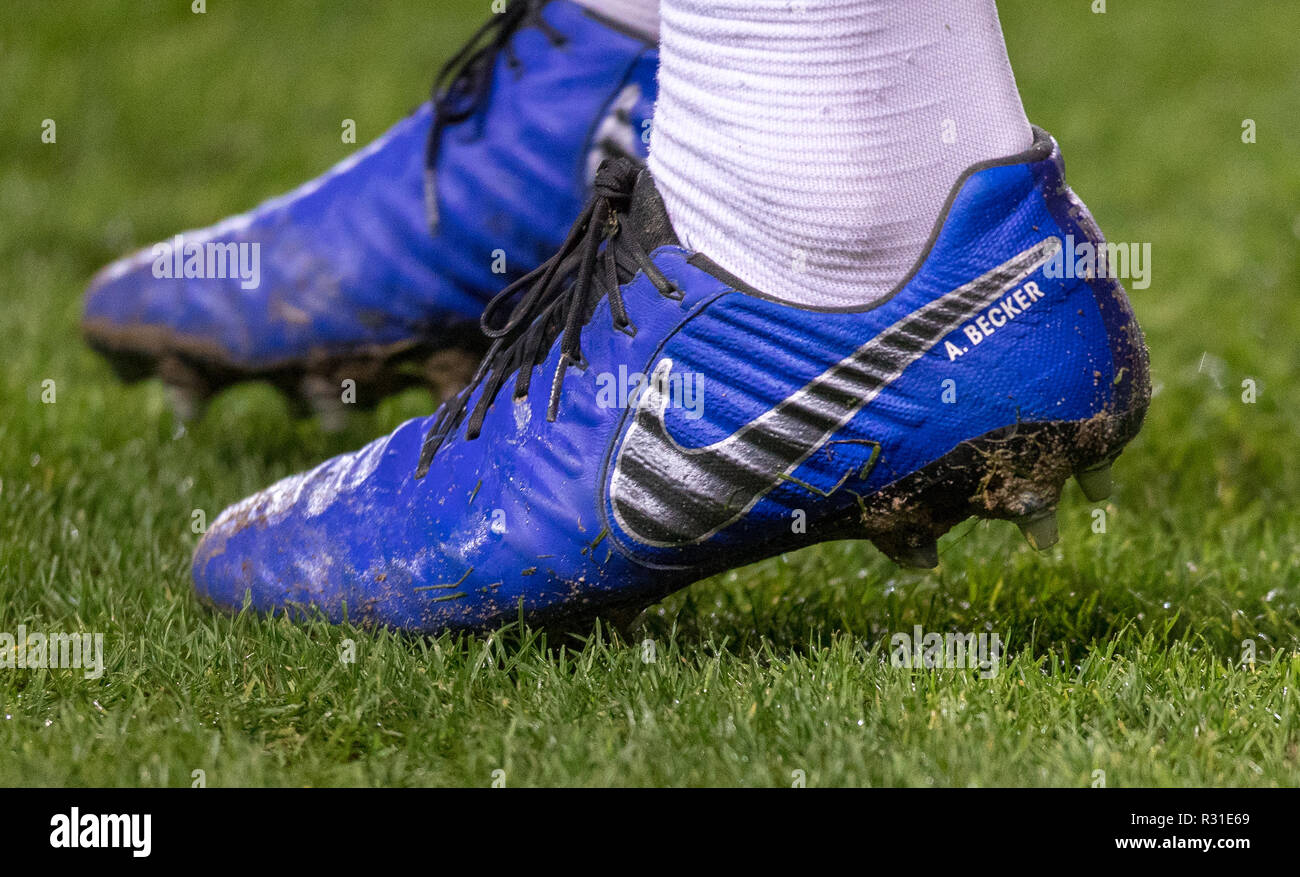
pixel 603 251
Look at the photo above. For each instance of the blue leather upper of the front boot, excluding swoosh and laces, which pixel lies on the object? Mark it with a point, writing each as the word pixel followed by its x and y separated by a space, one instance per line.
pixel 523 515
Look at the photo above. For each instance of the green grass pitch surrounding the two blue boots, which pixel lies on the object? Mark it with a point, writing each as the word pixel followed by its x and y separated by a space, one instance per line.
pixel 1124 649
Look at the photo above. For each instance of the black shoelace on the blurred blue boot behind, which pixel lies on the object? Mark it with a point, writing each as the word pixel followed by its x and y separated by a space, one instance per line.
pixel 463 85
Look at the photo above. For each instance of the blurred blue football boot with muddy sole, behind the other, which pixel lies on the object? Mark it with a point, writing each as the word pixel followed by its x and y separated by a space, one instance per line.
pixel 379 271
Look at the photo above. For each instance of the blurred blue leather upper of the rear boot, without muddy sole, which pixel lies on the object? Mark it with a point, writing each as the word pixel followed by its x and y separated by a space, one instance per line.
pixel 348 261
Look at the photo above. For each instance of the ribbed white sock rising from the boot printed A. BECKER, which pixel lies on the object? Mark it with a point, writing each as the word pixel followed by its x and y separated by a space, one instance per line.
pixel 808 147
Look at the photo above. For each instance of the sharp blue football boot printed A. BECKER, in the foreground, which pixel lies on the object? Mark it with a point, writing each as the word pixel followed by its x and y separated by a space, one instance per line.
pixel 645 420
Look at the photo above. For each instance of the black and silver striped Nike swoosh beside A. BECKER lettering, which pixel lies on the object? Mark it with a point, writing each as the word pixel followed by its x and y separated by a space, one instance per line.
pixel 669 496
